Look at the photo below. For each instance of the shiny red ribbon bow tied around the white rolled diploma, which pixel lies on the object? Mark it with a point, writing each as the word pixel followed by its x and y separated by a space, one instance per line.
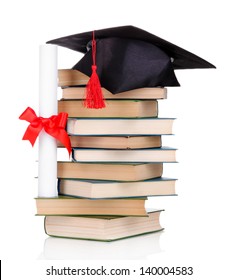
pixel 54 126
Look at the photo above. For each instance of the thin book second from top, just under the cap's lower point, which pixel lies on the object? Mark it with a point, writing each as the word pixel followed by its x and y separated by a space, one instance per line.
pixel 78 92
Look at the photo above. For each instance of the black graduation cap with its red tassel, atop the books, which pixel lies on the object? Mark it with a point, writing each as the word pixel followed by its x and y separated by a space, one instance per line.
pixel 126 58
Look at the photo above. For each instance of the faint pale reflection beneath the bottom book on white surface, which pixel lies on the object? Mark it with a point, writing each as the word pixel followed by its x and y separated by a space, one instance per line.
pixel 135 248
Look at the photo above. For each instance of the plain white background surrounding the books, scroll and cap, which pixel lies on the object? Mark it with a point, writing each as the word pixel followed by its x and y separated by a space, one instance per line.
pixel 200 224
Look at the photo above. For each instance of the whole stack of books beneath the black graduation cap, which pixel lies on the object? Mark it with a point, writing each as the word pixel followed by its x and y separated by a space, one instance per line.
pixel 117 163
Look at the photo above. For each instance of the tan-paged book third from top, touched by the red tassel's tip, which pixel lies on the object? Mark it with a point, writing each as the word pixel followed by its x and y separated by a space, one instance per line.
pixel 113 109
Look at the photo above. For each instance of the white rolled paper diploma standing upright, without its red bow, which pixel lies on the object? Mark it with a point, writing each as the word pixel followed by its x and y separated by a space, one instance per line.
pixel 47 154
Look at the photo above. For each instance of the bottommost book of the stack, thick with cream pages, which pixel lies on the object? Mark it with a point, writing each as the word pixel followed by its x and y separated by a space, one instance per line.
pixel 102 228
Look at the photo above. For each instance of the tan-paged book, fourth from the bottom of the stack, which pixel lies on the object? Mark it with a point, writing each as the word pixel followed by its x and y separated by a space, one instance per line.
pixel 109 171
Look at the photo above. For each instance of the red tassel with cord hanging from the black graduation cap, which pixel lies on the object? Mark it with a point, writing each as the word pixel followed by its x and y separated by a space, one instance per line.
pixel 94 96
